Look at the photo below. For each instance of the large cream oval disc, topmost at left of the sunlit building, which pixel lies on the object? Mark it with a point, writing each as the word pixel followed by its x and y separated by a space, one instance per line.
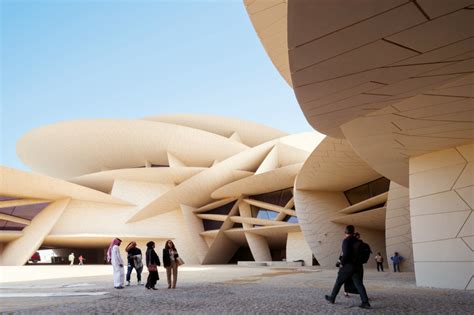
pixel 107 143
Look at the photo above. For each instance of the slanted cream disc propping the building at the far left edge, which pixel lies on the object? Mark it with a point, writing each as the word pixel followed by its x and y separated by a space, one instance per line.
pixel 18 251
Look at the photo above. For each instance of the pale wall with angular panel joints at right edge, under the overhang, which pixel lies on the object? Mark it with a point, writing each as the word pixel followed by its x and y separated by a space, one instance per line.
pixel 442 219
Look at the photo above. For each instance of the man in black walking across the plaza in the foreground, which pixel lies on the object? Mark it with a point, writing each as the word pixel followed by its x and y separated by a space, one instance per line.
pixel 350 268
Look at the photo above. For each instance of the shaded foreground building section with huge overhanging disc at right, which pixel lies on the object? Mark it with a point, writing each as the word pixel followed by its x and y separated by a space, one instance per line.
pixel 393 80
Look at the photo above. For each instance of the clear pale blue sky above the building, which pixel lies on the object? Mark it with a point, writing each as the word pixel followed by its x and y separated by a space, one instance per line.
pixel 64 60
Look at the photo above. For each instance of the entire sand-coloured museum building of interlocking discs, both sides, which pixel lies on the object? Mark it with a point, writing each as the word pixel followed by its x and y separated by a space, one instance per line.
pixel 387 85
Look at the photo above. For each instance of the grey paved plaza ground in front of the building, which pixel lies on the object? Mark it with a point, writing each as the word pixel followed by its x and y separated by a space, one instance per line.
pixel 221 290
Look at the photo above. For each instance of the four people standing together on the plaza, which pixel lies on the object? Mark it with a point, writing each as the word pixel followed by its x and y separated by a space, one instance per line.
pixel 171 261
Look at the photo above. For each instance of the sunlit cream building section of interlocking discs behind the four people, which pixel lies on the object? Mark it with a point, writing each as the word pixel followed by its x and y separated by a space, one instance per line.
pixel 221 188
